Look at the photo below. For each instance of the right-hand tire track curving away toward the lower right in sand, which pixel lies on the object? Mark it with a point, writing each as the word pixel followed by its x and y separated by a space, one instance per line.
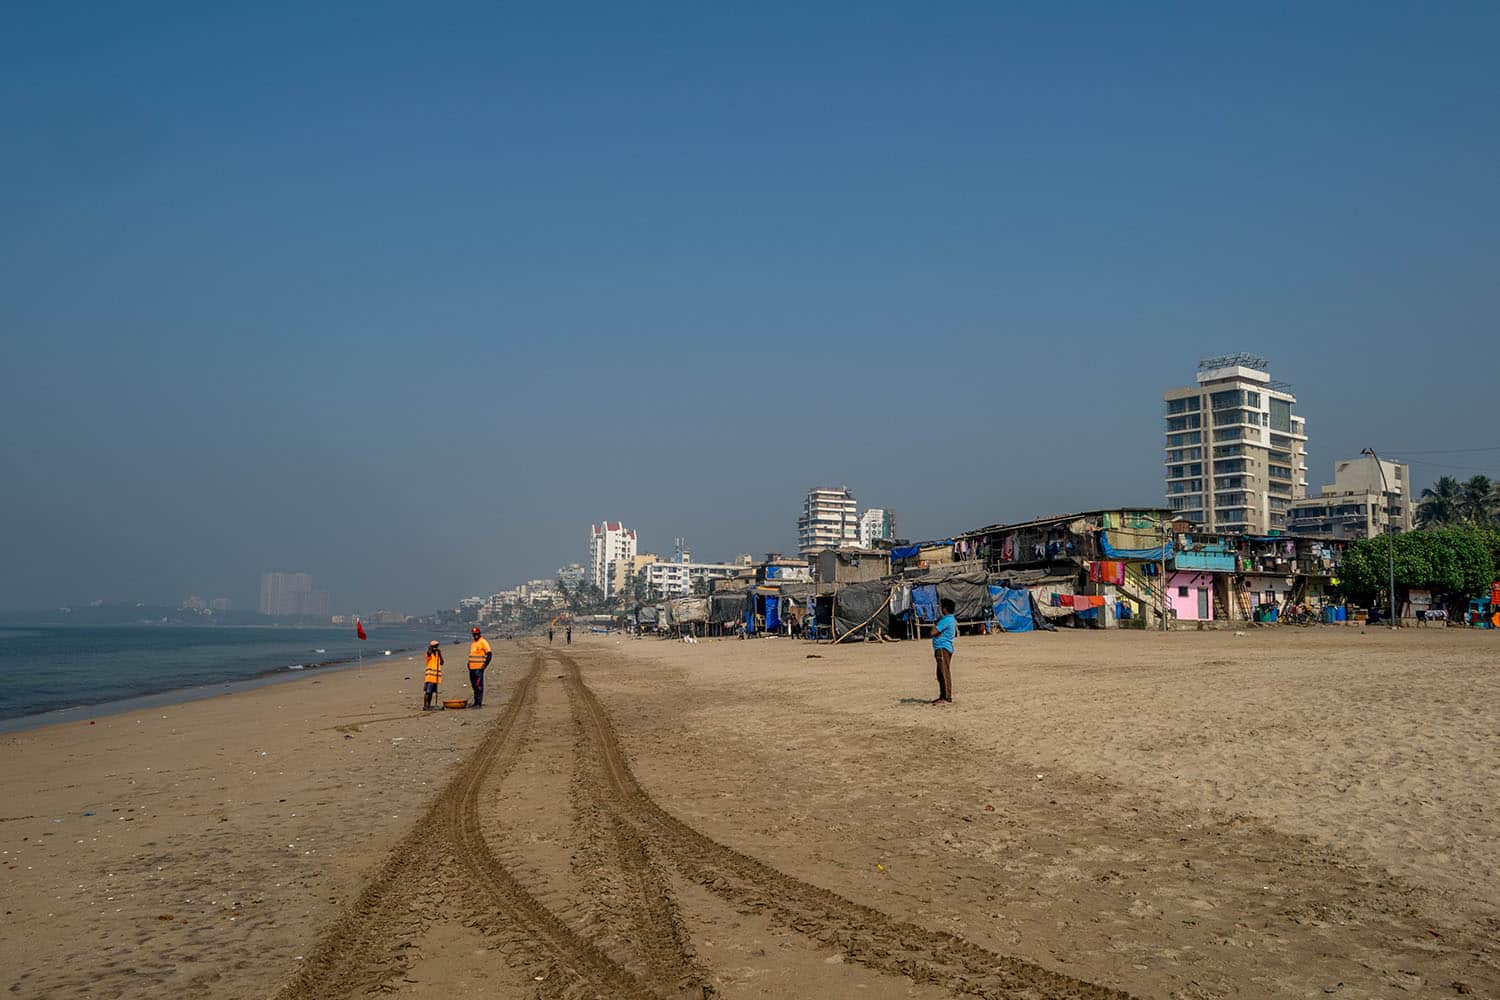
pixel 865 935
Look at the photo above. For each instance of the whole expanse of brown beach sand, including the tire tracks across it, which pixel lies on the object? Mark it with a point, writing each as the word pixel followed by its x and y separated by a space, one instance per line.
pixel 1292 813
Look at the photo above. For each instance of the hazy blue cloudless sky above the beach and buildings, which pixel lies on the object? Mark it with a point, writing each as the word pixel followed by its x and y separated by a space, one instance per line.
pixel 407 296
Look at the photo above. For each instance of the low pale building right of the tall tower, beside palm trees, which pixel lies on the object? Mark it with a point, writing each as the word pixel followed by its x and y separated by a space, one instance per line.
pixel 1369 497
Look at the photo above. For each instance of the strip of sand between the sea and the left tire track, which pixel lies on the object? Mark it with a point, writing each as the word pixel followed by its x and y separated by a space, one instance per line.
pixel 197 849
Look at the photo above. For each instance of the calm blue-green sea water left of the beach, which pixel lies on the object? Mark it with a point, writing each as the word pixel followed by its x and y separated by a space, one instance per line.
pixel 52 668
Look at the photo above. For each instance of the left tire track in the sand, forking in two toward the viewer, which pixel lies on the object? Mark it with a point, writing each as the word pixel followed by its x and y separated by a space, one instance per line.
pixel 365 948
